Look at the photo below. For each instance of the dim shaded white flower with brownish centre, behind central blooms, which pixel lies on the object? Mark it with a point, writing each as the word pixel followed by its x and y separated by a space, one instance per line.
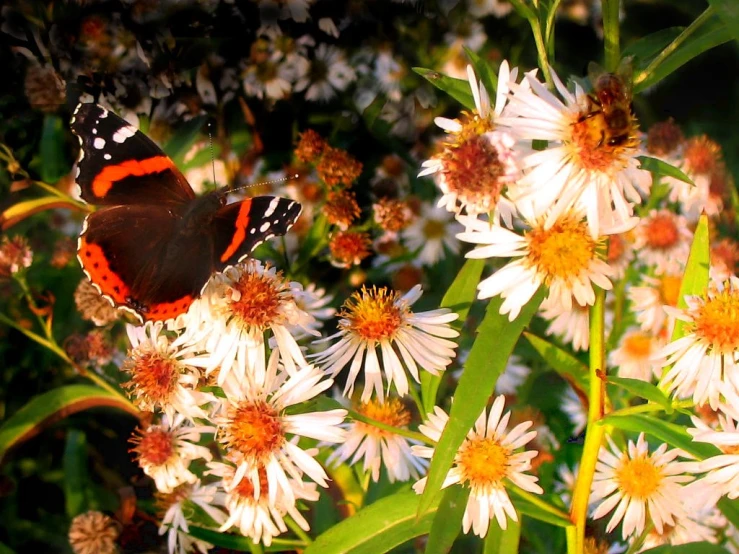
pixel 432 234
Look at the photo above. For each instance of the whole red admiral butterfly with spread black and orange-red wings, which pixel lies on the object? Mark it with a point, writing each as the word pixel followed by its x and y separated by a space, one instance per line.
pixel 153 244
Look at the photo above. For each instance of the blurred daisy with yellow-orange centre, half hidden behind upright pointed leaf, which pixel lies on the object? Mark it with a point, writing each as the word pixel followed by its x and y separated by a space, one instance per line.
pixel 648 302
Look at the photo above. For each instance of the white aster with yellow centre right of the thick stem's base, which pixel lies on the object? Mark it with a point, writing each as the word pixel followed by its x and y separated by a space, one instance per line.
pixel 641 486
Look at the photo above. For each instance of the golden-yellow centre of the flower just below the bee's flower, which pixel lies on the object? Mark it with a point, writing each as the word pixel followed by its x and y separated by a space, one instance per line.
pixel 564 251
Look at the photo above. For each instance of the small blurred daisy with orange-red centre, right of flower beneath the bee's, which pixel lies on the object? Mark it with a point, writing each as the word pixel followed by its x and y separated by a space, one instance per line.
pixel 663 241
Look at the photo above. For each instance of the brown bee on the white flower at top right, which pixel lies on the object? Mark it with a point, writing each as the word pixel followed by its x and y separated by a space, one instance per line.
pixel 610 104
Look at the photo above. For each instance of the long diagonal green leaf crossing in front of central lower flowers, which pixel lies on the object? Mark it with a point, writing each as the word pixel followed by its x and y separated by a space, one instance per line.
pixel 486 361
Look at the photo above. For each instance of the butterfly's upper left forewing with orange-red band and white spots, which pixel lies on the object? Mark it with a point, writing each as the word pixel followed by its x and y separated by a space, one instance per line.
pixel 118 164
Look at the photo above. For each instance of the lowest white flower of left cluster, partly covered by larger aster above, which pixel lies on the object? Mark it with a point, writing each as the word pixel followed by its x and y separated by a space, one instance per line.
pixel 250 509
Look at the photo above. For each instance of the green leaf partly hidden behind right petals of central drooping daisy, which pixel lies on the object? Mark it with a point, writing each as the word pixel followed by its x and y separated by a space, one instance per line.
pixel 458 298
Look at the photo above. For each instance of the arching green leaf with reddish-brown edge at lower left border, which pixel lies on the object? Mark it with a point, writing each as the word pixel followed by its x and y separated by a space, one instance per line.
pixel 41 411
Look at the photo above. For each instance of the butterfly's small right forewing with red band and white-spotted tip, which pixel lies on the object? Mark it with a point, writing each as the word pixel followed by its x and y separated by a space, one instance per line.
pixel 242 226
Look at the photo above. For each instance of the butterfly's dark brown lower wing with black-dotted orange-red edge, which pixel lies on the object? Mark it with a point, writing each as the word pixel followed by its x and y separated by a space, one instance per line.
pixel 137 259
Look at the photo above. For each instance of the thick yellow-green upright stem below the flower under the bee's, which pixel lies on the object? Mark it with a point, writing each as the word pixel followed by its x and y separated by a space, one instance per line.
pixel 595 433
